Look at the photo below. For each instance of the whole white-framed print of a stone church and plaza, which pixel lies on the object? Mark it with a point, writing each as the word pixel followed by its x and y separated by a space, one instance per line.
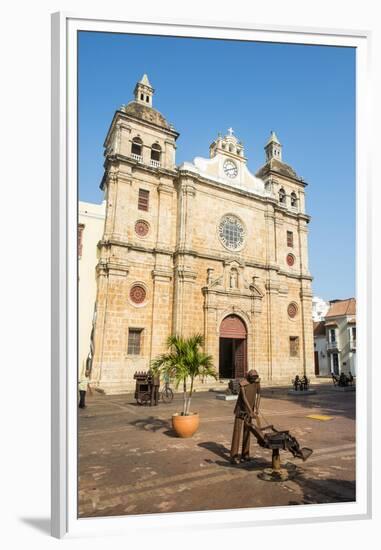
pixel 211 280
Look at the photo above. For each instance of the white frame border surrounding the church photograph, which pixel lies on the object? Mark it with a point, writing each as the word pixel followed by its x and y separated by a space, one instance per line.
pixel 64 278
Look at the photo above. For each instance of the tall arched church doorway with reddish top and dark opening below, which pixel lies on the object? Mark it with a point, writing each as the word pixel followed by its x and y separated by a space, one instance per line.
pixel 233 348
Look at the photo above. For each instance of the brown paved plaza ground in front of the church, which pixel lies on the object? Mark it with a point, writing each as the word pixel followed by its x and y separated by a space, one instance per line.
pixel 130 461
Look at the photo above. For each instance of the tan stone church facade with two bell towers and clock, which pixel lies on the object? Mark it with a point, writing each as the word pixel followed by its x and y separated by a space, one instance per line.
pixel 205 247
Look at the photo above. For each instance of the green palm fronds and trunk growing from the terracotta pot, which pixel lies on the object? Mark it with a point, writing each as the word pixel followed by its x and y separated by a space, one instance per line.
pixel 184 360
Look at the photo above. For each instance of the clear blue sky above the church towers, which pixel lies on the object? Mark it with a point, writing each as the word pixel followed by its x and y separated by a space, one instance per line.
pixel 305 93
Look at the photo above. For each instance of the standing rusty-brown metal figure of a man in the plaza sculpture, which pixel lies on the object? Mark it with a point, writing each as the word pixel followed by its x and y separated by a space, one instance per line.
pixel 247 406
